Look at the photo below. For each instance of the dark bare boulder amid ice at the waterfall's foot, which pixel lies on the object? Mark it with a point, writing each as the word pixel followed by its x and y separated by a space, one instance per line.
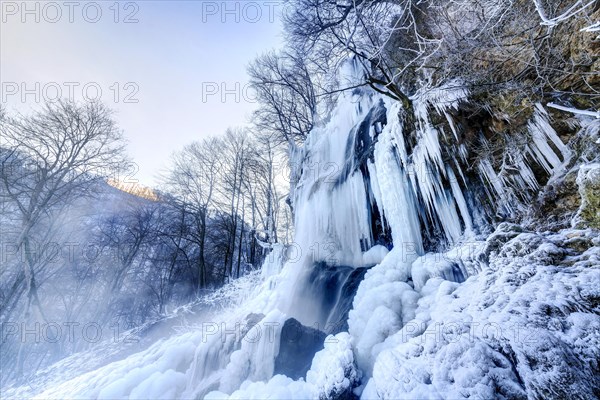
pixel 297 347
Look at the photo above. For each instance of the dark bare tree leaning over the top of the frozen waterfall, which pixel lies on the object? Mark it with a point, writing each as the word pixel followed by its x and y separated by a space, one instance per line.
pixel 327 32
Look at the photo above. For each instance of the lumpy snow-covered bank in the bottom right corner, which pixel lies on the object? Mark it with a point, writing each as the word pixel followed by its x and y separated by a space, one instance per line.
pixel 475 331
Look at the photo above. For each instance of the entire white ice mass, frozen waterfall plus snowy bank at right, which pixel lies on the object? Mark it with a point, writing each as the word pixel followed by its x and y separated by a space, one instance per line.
pixel 423 324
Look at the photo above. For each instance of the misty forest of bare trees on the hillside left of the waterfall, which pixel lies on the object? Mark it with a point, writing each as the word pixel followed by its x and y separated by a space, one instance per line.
pixel 78 247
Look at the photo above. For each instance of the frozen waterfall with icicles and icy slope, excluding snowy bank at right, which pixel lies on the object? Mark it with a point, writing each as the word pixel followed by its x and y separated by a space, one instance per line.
pixel 368 202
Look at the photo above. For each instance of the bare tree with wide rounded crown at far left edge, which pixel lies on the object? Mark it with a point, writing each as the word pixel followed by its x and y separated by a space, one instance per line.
pixel 48 160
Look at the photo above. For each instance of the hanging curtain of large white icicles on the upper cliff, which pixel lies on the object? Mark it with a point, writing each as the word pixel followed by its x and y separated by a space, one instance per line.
pixel 408 177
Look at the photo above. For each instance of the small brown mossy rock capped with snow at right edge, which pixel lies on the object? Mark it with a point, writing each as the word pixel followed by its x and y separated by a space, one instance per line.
pixel 588 181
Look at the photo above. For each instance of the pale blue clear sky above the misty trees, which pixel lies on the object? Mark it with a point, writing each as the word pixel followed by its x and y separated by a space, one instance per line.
pixel 174 71
